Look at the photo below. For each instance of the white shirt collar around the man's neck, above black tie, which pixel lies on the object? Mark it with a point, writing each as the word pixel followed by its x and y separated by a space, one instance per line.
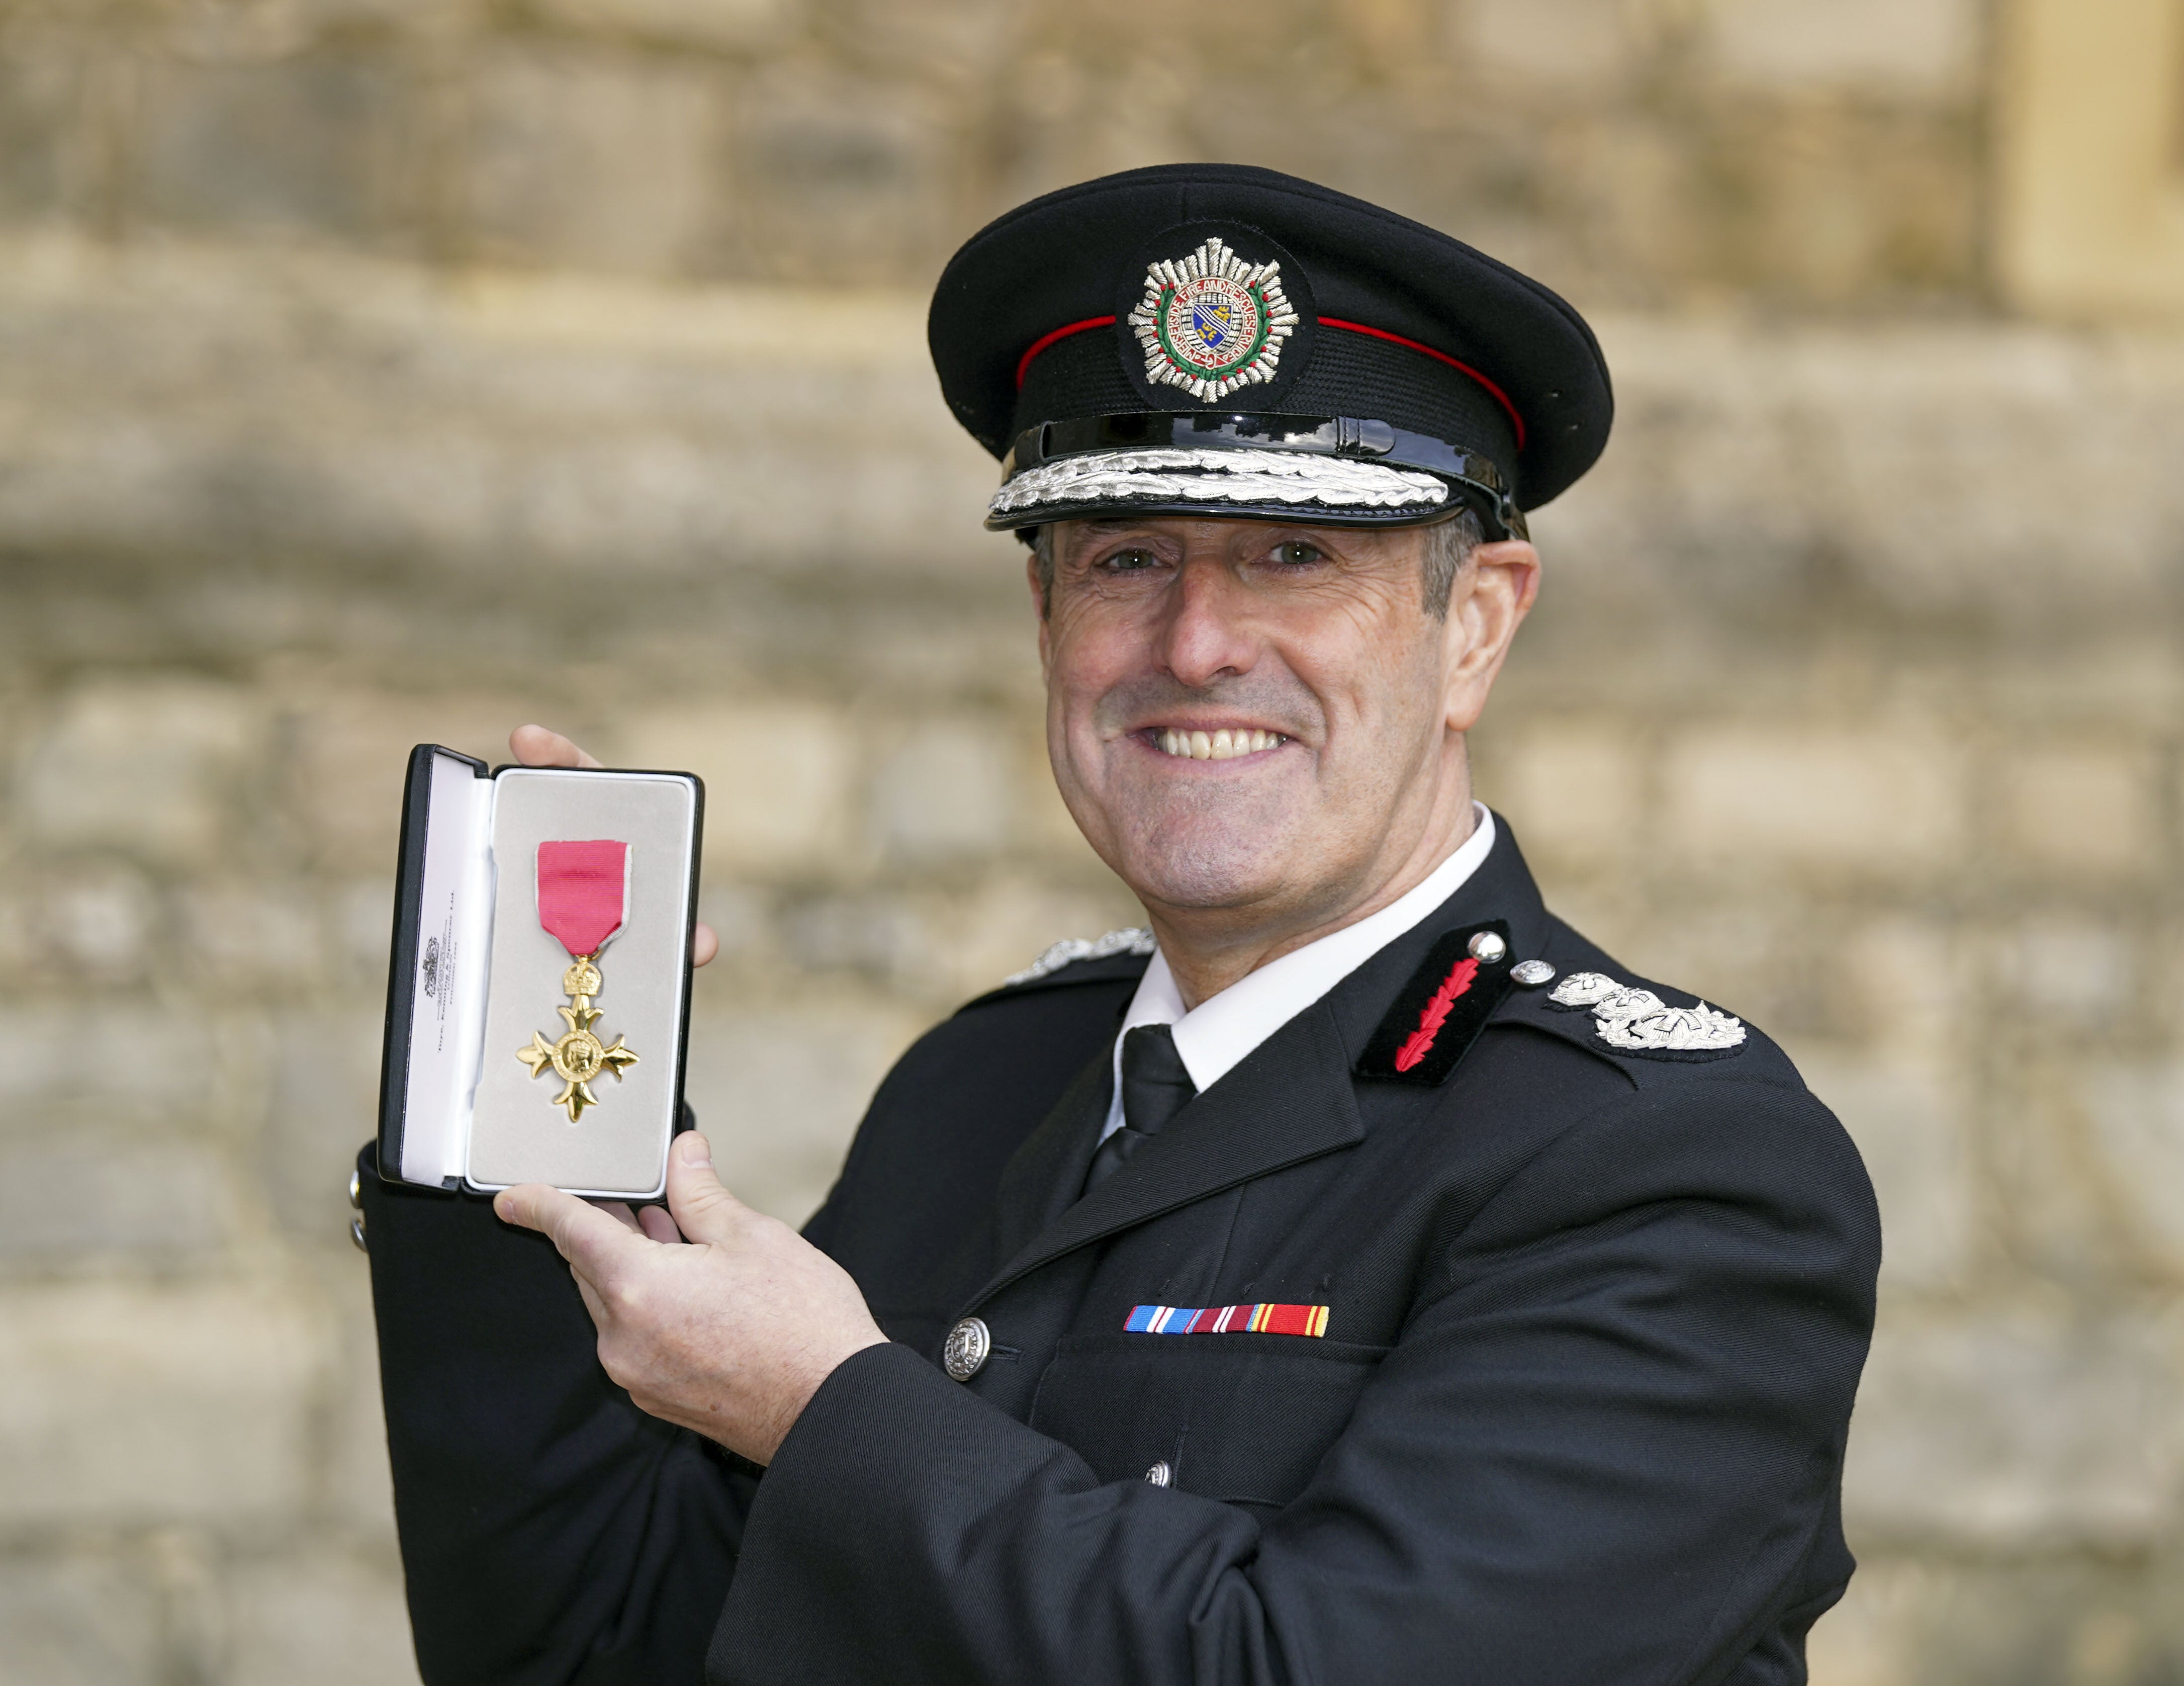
pixel 1220 1032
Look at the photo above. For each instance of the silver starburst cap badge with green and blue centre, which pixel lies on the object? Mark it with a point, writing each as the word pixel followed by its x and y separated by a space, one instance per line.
pixel 1211 322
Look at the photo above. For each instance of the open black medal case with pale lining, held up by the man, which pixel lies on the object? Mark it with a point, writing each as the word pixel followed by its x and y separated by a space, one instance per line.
pixel 475 984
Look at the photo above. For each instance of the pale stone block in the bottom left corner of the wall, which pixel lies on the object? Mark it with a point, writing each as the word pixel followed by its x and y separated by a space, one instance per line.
pixel 80 1622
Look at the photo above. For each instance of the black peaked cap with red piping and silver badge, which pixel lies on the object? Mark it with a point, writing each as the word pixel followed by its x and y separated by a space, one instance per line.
pixel 1486 377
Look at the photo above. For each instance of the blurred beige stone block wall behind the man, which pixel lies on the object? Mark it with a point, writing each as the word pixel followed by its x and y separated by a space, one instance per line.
pixel 394 370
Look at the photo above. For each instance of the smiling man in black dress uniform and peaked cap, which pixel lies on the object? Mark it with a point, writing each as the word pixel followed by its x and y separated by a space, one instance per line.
pixel 1357 1277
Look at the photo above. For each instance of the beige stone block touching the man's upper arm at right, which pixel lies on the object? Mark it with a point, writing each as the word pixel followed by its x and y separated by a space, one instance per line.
pixel 1910 1119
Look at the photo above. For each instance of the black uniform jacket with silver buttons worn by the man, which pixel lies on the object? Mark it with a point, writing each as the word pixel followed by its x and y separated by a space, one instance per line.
pixel 1595 1322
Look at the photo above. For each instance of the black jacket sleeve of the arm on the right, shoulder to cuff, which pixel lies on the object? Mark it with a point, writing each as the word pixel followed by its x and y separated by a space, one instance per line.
pixel 1604 1449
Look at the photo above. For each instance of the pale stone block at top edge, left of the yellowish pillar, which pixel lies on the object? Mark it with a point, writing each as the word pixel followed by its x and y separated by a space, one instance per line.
pixel 1899 47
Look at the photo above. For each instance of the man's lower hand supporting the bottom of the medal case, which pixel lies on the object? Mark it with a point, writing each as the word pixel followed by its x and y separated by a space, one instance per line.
pixel 731 1331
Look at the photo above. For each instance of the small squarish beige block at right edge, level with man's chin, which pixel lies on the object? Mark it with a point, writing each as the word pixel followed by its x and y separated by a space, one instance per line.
pixel 2082 811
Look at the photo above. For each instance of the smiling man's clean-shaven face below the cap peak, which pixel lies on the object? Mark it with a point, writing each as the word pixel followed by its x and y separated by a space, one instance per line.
pixel 1266 720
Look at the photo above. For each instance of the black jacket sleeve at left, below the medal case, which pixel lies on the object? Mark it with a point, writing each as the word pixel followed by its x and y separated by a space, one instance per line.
pixel 551 1532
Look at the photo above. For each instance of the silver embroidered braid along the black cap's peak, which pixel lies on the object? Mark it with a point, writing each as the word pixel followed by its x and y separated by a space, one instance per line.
pixel 1218 477
